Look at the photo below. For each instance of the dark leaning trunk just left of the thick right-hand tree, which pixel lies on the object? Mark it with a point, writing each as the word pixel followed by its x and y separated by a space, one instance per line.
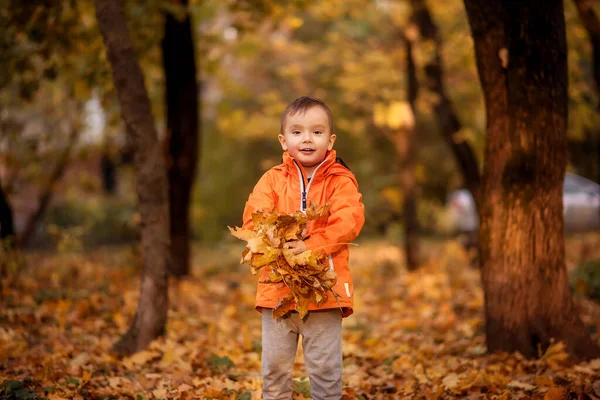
pixel 448 121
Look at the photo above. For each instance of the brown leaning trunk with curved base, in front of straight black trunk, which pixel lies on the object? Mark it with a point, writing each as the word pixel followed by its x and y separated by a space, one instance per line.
pixel 150 175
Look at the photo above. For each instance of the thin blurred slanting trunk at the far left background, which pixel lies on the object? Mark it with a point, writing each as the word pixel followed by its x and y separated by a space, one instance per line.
pixel 48 190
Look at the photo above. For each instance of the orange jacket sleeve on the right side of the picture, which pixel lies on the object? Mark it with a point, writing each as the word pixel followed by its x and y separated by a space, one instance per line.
pixel 346 218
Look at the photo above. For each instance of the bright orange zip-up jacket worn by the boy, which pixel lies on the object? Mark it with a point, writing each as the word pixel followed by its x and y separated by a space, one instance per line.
pixel 286 189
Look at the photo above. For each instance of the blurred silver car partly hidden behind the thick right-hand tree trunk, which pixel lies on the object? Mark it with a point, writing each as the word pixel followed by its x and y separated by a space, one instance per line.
pixel 581 207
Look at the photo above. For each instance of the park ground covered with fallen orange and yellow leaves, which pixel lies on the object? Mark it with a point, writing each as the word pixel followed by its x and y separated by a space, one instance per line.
pixel 413 335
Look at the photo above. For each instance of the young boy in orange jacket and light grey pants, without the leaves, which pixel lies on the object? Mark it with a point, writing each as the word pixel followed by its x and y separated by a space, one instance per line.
pixel 309 173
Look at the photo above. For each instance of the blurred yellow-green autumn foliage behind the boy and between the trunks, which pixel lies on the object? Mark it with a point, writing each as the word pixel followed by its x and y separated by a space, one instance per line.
pixel 253 58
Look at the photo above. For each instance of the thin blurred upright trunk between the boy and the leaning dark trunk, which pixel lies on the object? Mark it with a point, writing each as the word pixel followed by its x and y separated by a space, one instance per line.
pixel 406 154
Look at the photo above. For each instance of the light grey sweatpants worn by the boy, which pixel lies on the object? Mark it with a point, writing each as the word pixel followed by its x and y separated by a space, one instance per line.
pixel 322 344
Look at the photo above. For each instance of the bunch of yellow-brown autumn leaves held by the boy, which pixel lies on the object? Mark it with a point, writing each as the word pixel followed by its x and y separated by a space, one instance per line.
pixel 307 275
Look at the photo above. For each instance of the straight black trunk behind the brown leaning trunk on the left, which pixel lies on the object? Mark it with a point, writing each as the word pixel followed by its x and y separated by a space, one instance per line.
pixel 182 134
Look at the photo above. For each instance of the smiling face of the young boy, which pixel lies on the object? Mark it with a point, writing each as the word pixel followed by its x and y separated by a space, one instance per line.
pixel 307 137
